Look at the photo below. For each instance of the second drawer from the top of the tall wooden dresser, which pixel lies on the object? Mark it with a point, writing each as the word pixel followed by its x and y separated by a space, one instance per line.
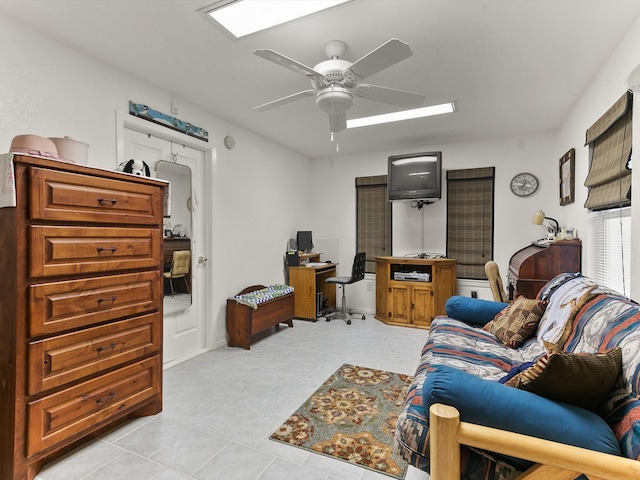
pixel 78 250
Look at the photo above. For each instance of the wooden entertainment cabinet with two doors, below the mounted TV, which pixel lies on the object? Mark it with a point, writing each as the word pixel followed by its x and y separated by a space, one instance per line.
pixel 413 303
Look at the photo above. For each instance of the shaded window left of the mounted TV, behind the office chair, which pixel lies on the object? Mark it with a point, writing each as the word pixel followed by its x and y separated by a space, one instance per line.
pixel 373 219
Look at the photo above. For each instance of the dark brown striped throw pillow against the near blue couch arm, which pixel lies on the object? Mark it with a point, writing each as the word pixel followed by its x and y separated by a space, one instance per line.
pixel 580 379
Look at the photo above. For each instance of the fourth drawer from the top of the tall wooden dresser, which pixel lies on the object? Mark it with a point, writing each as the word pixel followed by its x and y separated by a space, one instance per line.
pixel 65 358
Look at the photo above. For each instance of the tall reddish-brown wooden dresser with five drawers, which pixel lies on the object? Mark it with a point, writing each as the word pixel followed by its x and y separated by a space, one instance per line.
pixel 80 308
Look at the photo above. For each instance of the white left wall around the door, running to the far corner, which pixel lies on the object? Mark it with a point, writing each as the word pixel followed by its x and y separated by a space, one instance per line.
pixel 254 201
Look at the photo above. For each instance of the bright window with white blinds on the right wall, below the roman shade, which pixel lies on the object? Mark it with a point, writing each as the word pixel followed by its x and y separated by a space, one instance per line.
pixel 609 241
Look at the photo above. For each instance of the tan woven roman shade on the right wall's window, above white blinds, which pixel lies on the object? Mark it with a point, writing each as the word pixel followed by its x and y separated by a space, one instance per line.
pixel 609 179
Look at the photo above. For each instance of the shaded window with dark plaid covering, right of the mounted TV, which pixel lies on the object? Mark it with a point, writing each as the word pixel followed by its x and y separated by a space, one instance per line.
pixel 470 208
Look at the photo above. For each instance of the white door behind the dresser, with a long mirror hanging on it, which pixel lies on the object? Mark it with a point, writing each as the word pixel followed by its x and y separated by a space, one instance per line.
pixel 184 325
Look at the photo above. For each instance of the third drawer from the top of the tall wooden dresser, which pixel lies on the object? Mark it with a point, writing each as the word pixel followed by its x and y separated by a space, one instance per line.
pixel 61 306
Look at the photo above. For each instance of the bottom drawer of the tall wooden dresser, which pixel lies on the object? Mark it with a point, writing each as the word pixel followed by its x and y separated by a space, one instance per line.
pixel 78 410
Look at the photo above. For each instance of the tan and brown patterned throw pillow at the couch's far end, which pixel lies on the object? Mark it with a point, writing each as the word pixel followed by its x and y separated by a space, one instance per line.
pixel 517 322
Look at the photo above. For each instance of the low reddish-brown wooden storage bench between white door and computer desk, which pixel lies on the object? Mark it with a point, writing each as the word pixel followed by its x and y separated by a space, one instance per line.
pixel 243 321
